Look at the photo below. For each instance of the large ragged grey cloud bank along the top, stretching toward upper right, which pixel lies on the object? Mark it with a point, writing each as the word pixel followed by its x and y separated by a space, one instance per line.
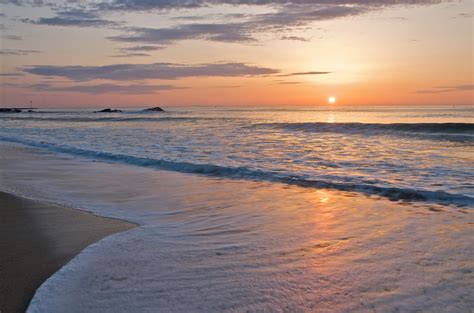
pixel 286 15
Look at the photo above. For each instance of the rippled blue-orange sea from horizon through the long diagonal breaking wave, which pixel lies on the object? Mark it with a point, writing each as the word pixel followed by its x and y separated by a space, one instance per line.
pixel 416 154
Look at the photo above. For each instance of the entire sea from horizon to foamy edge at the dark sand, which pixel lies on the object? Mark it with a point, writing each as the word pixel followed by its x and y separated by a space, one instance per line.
pixel 256 209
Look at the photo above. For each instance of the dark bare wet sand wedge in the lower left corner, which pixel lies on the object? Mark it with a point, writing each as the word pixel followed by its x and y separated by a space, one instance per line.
pixel 36 240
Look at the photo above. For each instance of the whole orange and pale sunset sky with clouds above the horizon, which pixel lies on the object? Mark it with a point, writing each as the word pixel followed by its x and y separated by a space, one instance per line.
pixel 139 53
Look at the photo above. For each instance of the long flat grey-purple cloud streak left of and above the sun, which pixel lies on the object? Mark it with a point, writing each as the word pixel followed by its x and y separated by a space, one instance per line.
pixel 167 71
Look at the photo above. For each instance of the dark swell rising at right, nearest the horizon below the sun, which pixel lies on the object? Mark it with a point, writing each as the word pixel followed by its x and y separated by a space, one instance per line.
pixel 446 131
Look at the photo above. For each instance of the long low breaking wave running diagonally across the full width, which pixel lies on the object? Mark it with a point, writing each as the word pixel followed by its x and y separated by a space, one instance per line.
pixel 211 170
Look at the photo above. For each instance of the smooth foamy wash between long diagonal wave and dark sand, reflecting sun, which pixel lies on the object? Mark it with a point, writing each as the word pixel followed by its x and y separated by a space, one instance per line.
pixel 214 245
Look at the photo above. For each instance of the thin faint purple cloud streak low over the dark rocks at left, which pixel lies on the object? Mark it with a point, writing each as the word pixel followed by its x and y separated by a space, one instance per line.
pixel 104 88
